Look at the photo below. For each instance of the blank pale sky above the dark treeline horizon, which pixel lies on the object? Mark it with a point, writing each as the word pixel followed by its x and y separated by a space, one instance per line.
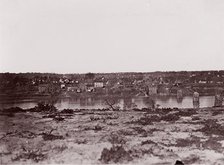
pixel 71 36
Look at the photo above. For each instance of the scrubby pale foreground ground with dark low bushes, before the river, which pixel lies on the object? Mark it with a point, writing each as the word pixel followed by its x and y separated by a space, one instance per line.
pixel 44 135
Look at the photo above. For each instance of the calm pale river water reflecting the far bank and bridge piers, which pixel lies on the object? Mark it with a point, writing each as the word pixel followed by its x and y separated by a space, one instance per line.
pixel 102 102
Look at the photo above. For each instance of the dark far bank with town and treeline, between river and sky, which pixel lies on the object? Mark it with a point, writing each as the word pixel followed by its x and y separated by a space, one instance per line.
pixel 113 84
